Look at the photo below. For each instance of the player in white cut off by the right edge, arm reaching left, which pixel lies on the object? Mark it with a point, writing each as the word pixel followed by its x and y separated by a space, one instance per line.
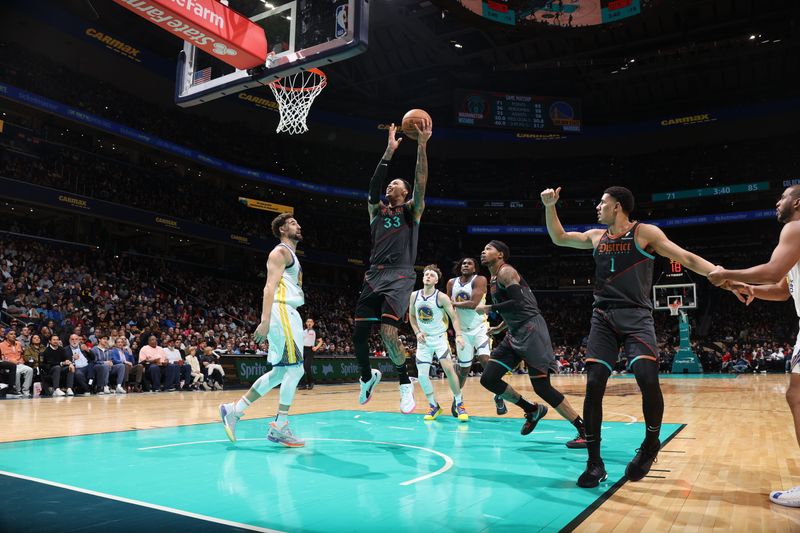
pixel 779 280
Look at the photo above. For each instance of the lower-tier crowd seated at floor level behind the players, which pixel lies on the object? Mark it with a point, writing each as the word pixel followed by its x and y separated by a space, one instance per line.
pixel 116 315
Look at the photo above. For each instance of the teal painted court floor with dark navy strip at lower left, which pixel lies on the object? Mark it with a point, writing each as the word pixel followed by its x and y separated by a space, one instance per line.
pixel 360 471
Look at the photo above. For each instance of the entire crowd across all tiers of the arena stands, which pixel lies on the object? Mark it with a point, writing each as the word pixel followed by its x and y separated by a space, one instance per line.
pixel 86 294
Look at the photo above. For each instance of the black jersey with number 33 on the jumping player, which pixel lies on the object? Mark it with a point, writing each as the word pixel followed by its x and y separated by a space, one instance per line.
pixel 395 234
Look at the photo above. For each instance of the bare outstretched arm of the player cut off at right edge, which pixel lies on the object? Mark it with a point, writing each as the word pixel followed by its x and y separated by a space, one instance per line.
pixel 783 258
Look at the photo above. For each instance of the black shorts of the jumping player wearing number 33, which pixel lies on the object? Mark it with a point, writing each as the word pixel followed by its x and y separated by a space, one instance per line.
pixel 384 295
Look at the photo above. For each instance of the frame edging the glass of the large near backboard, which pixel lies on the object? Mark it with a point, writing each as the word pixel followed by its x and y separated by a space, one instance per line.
pixel 283 63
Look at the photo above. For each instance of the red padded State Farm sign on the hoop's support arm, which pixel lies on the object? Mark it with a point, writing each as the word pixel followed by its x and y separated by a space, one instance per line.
pixel 209 25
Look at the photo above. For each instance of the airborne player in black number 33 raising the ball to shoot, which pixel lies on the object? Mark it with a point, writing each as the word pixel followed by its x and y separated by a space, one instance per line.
pixel 390 279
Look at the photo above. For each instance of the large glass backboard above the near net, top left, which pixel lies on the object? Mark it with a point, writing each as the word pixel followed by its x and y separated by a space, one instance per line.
pixel 301 34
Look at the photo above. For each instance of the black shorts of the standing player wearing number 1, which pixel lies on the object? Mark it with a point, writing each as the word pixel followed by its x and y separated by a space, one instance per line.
pixel 632 328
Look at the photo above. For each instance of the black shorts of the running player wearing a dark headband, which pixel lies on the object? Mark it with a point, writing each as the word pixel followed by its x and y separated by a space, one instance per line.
pixel 530 343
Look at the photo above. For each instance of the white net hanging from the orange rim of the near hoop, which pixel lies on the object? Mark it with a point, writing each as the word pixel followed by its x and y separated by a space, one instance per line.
pixel 295 93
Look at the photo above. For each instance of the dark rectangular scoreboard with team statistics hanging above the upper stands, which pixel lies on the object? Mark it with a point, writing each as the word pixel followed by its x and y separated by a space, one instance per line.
pixel 518 112
